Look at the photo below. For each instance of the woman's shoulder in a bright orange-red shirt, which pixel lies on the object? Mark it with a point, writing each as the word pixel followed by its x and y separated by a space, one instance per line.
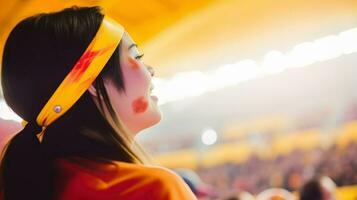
pixel 119 180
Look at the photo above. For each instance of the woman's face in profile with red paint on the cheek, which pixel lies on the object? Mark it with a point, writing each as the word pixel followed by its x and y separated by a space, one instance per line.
pixel 136 107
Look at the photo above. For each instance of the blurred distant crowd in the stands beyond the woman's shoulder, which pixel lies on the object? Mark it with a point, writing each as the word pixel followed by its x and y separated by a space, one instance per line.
pixel 290 171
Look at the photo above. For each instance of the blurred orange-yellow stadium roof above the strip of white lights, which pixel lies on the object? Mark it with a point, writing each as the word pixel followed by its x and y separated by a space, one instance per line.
pixel 179 35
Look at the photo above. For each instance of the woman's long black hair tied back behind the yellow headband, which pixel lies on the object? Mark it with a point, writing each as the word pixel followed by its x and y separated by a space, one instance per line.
pixel 39 52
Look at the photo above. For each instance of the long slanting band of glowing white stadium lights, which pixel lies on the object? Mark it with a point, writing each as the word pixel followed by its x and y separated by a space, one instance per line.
pixel 195 83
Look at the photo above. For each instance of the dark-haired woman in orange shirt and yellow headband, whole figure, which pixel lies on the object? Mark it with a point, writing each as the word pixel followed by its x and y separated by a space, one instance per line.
pixel 77 79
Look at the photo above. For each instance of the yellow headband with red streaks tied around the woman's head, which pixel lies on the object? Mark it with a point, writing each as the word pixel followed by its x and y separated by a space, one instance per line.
pixel 85 71
